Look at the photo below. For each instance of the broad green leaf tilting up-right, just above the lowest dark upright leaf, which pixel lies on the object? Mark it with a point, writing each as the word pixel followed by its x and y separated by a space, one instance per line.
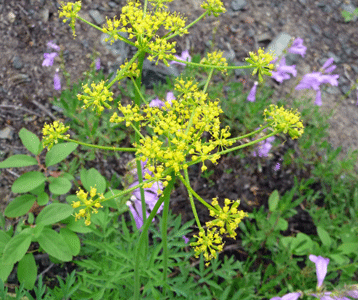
pixel 16 248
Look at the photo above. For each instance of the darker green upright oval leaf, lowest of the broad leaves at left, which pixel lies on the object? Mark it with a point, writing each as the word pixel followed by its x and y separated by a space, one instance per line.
pixel 27 271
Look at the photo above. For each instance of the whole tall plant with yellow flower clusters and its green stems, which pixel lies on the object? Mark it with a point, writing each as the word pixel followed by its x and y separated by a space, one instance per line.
pixel 180 129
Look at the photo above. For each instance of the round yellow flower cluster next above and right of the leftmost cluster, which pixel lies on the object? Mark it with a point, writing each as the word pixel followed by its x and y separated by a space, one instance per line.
pixel 97 97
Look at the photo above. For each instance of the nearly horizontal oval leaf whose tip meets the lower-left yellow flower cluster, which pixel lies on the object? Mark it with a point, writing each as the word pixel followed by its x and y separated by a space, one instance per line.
pixel 54 213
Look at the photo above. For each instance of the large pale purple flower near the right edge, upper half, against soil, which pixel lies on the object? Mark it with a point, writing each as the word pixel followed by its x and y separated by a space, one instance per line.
pixel 315 79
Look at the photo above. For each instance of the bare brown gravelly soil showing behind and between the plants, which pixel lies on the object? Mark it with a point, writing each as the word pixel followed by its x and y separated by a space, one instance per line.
pixel 26 88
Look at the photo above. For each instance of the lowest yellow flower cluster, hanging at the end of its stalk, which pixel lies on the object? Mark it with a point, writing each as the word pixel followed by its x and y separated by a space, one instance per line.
pixel 208 243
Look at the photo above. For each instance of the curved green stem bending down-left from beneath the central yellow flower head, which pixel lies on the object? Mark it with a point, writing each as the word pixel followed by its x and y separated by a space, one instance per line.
pixel 145 227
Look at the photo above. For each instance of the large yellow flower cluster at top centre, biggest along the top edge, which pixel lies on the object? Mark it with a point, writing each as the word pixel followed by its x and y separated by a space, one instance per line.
pixel 144 28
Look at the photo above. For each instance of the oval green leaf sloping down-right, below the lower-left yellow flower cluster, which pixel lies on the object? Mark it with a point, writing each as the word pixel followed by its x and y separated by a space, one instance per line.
pixel 54 244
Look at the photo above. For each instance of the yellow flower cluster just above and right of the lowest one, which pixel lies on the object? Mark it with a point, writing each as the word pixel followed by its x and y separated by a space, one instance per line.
pixel 226 219
